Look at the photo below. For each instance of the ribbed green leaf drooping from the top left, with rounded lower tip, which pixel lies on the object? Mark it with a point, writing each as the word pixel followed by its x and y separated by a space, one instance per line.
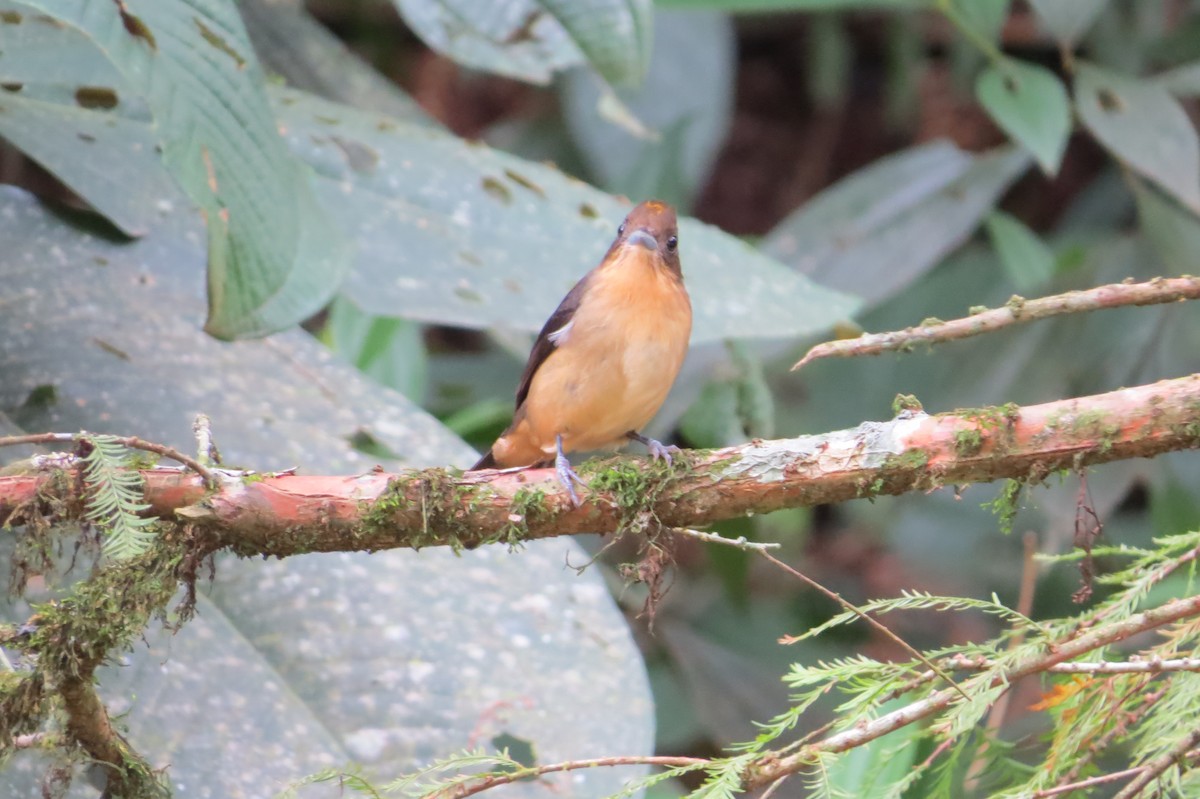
pixel 274 257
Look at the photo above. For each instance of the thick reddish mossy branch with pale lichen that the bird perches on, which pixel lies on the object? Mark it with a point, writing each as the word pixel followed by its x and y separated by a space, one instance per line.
pixel 285 515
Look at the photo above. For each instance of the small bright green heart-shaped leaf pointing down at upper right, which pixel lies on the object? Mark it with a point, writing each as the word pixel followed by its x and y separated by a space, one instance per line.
pixel 1030 104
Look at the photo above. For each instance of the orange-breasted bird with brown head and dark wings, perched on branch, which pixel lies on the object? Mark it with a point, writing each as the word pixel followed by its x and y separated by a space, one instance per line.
pixel 605 361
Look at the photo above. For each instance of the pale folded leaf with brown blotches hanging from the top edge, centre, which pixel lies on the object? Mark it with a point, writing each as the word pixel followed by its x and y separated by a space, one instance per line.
pixel 531 40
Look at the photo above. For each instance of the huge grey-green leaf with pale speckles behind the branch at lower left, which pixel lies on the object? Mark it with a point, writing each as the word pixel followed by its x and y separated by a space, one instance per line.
pixel 388 660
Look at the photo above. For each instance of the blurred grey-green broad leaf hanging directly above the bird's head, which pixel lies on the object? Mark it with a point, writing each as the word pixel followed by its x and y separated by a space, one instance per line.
pixel 691 50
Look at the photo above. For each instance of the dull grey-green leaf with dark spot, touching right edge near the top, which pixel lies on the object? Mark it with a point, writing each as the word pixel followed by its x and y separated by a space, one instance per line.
pixel 1144 127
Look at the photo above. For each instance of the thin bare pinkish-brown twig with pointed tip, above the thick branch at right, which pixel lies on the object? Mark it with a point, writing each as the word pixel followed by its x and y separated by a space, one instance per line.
pixel 1017 311
